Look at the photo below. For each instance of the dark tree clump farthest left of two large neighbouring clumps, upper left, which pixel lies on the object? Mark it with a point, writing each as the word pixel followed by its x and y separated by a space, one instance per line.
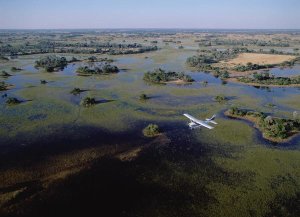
pixel 51 63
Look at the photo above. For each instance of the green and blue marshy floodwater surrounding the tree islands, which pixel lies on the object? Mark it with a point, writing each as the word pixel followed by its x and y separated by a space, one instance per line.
pixel 195 168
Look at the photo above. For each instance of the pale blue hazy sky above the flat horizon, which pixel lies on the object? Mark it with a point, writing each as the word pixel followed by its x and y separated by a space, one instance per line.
pixel 207 14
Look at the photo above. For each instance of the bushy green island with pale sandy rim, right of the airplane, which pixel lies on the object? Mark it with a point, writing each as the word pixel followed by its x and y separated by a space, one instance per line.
pixel 274 129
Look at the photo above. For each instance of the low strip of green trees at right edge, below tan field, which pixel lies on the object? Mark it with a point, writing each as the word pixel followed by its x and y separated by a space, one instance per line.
pixel 267 79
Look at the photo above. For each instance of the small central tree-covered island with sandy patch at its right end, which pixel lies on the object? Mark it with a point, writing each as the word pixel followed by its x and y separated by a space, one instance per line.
pixel 160 76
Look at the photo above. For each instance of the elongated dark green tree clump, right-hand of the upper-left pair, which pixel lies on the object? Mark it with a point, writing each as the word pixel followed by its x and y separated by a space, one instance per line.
pixel 103 69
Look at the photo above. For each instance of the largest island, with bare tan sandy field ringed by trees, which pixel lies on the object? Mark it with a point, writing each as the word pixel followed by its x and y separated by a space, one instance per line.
pixel 239 64
